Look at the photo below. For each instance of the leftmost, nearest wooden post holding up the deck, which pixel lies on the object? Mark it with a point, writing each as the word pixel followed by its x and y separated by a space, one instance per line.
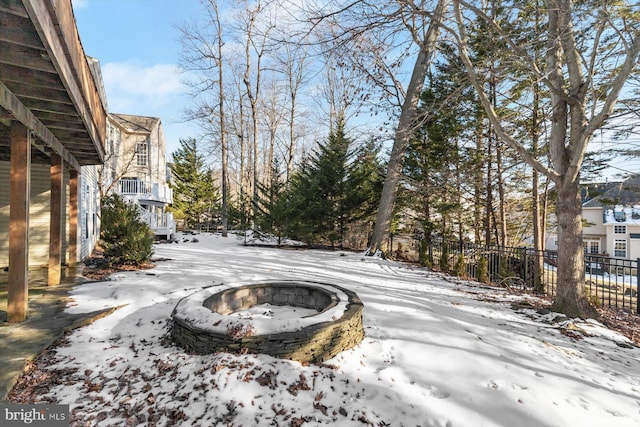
pixel 19 186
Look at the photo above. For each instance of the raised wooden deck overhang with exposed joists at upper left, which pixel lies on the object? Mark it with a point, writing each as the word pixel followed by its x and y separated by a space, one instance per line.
pixel 46 83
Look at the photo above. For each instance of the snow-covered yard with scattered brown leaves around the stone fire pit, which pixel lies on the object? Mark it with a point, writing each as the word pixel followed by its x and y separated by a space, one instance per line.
pixel 438 352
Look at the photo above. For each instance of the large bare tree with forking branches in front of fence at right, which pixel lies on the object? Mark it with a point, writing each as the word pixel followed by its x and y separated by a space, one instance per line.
pixel 584 74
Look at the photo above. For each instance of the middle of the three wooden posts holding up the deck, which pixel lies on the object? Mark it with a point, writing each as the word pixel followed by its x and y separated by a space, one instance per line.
pixel 55 222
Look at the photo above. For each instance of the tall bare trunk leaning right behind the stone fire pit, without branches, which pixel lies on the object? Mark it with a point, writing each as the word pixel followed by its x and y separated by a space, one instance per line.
pixel 406 123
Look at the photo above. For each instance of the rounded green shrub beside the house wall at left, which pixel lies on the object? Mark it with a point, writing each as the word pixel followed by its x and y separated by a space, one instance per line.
pixel 125 238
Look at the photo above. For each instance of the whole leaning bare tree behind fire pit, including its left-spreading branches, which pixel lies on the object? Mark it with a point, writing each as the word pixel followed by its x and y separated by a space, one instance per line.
pixel 376 39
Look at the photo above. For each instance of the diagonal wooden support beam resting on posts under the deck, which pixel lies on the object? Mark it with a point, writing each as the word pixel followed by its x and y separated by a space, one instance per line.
pixel 12 104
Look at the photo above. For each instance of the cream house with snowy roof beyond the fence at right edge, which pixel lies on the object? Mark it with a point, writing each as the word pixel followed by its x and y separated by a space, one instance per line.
pixel 612 221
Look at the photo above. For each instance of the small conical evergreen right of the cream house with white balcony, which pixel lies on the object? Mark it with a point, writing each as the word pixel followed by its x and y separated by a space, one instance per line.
pixel 195 195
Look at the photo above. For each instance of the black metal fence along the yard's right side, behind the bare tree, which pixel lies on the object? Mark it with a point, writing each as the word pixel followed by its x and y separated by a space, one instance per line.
pixel 612 282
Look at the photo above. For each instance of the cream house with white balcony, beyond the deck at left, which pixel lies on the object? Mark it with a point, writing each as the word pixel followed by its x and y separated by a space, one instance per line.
pixel 137 168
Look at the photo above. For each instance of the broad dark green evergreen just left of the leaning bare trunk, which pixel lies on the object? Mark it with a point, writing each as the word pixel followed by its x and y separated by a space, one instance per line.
pixel 334 190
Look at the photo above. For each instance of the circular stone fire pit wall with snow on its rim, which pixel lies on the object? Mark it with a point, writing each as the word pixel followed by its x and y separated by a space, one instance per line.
pixel 203 321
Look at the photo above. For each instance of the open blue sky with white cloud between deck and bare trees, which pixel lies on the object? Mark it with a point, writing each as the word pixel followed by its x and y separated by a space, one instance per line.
pixel 137 44
